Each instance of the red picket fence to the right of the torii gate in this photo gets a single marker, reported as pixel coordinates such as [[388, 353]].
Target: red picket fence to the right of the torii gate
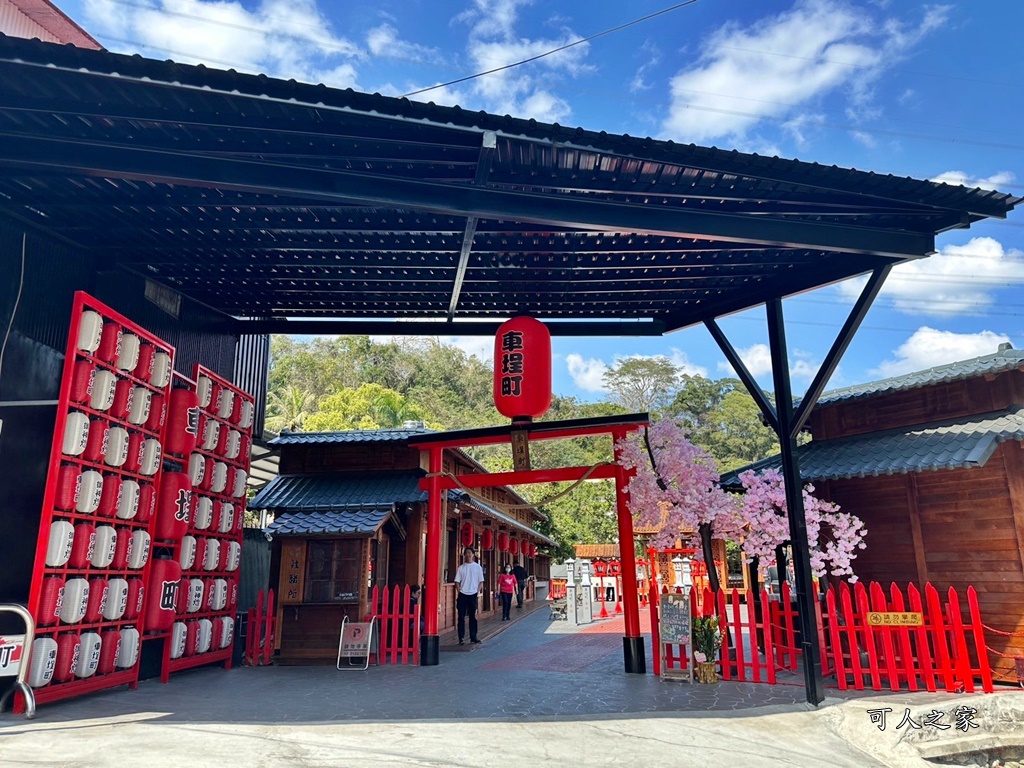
[[946, 653]]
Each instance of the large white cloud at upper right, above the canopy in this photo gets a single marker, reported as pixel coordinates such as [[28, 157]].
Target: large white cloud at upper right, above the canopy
[[783, 64]]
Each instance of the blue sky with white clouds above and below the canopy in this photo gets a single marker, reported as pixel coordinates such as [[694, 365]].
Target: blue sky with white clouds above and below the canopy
[[893, 87]]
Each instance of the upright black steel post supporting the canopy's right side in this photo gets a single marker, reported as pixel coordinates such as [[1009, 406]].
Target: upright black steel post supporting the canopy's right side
[[806, 598]]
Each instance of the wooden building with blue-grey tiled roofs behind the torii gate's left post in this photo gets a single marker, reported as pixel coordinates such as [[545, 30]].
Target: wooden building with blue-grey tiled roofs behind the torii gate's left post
[[350, 515]]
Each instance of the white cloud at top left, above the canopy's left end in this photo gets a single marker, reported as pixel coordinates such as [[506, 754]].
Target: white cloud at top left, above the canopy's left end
[[281, 38]]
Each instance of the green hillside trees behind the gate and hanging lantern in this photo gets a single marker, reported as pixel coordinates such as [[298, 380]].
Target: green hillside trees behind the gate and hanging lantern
[[357, 382]]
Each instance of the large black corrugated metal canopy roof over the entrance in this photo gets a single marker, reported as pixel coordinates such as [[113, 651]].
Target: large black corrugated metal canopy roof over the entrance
[[279, 202]]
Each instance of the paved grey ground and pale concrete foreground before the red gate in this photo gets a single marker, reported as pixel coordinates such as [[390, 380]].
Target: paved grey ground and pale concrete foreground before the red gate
[[536, 693]]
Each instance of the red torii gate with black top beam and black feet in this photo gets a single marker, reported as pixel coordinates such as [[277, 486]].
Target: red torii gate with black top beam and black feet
[[437, 483]]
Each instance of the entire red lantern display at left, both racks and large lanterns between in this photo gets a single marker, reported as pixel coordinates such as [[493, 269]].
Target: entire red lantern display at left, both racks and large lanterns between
[[111, 514]]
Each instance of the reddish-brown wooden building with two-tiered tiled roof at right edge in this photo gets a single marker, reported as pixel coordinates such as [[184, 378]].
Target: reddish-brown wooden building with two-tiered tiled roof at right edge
[[933, 463]]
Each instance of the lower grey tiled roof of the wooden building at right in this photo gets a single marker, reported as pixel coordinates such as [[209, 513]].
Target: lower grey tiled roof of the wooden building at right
[[951, 445]]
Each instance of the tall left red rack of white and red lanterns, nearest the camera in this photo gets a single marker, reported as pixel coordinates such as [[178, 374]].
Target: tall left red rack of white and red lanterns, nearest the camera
[[97, 528]]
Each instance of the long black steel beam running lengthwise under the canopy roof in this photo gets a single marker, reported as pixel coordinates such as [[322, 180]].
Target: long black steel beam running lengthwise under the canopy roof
[[193, 169]]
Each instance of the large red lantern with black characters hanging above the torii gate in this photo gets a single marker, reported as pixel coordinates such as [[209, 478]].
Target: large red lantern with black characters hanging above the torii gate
[[523, 369]]
